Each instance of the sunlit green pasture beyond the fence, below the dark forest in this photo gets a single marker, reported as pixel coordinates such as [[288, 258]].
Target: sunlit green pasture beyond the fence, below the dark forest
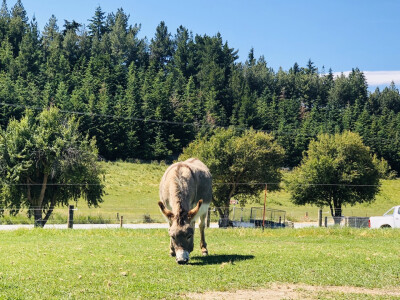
[[132, 191]]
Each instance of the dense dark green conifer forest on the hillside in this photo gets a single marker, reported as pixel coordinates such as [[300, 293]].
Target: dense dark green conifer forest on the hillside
[[148, 99]]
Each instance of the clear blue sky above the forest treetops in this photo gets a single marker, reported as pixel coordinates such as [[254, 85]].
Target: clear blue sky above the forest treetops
[[339, 34]]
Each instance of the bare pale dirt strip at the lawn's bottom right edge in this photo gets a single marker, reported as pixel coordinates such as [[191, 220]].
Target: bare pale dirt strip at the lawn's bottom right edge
[[294, 291]]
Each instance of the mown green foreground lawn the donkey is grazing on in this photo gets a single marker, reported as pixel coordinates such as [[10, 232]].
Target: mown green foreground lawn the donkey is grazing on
[[130, 264]]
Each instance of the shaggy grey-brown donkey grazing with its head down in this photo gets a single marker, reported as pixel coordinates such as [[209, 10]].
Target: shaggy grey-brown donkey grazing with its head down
[[185, 195]]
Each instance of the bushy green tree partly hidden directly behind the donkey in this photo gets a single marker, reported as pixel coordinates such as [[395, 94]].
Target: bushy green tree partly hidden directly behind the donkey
[[238, 162]]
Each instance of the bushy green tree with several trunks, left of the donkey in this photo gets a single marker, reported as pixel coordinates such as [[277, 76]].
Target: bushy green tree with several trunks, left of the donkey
[[45, 162]]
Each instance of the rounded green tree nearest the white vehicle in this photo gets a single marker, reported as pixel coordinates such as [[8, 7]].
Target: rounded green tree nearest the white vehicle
[[336, 170]]
